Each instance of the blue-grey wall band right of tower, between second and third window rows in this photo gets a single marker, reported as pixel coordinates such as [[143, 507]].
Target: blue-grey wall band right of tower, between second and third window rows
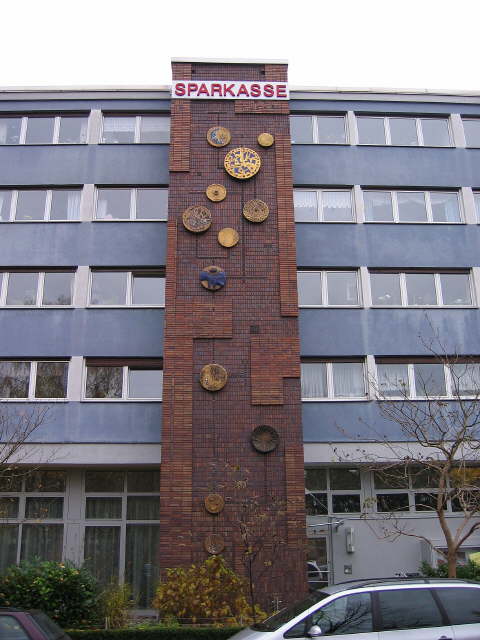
[[387, 245]]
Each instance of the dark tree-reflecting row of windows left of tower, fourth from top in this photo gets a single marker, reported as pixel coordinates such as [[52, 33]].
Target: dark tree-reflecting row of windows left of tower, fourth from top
[[36, 379]]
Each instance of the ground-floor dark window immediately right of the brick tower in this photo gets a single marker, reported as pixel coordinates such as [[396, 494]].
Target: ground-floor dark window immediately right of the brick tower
[[334, 490]]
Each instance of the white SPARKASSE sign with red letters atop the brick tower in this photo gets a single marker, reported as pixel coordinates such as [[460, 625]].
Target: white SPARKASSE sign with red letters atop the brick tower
[[224, 90]]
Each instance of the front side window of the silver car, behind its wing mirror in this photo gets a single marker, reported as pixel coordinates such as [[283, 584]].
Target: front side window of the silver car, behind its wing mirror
[[347, 614]]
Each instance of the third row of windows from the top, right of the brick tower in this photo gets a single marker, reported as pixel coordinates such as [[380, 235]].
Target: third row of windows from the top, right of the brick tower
[[389, 288]]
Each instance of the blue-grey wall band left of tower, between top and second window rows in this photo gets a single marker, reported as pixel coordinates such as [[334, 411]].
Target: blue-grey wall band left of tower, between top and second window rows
[[84, 164]]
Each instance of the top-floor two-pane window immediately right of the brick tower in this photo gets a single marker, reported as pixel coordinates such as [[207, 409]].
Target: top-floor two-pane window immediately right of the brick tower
[[321, 129]]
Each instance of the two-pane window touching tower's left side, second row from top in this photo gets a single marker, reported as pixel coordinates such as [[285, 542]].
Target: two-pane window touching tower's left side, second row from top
[[116, 203]]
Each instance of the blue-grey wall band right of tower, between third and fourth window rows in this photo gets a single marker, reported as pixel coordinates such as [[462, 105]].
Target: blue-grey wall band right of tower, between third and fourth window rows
[[358, 332]]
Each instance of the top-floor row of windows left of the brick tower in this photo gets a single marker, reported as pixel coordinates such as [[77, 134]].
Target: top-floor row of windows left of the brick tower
[[73, 129]]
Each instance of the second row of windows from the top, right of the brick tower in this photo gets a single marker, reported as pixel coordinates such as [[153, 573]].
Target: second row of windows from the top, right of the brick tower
[[381, 205]]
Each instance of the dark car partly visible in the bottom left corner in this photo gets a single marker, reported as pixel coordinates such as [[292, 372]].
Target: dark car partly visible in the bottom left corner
[[16, 624]]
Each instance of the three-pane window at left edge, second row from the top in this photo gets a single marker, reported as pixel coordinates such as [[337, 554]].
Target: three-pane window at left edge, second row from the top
[[36, 205]]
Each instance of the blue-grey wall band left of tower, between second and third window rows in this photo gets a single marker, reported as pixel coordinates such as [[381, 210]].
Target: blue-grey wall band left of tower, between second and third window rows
[[57, 244]]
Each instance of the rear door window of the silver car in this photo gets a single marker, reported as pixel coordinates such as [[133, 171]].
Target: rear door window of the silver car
[[408, 609]]
